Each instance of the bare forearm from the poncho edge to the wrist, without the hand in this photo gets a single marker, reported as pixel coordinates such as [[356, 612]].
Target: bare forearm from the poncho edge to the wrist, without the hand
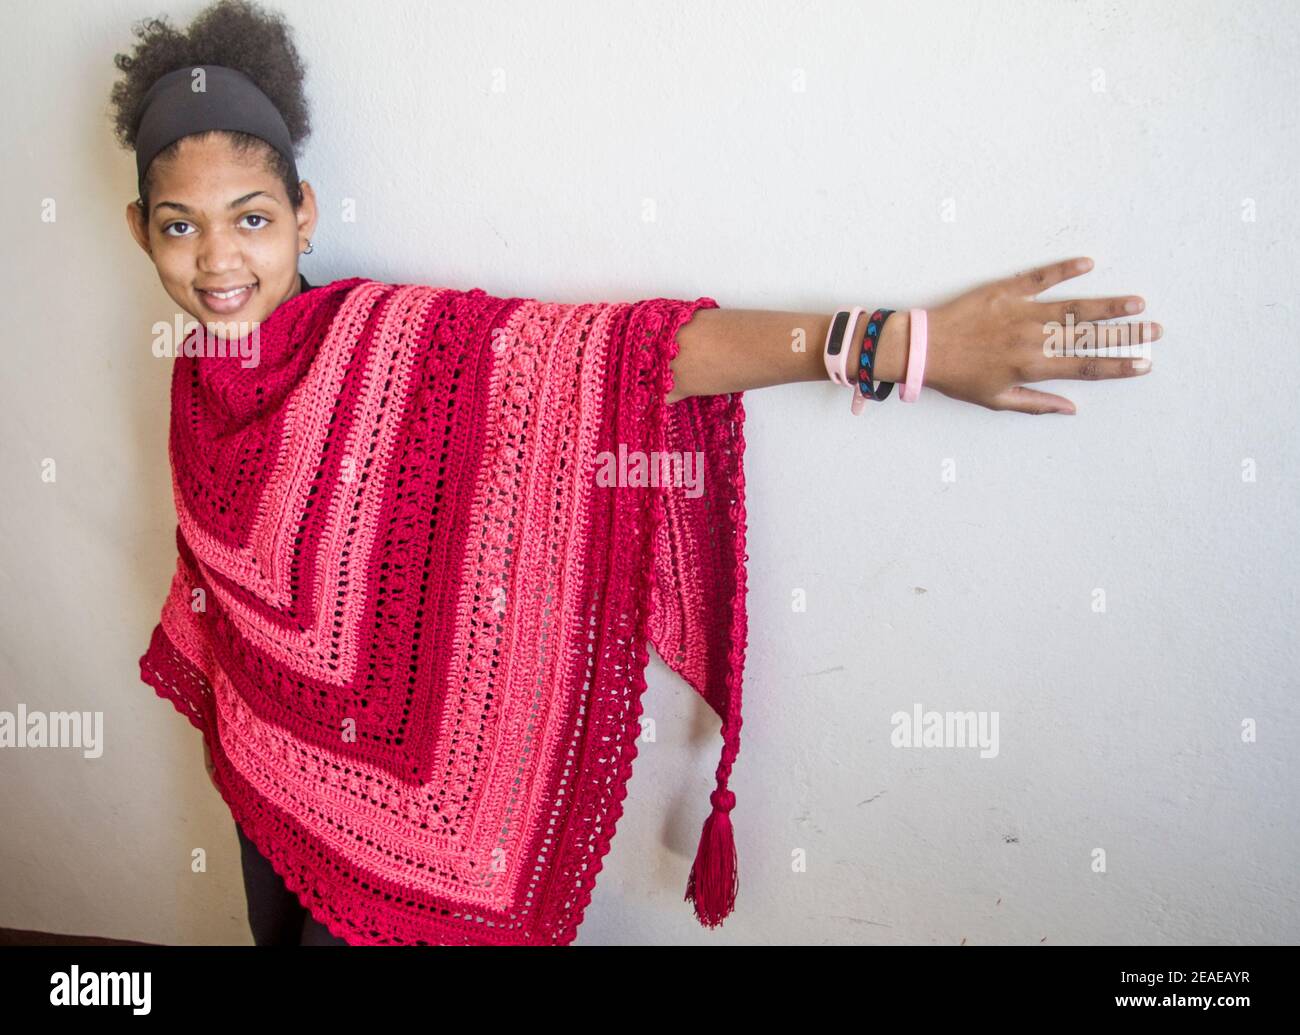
[[736, 350]]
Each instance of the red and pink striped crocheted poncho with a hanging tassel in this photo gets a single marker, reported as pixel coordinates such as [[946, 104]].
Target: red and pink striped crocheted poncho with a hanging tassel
[[423, 544]]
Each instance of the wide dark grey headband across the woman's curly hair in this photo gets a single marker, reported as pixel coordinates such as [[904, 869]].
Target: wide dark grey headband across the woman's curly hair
[[229, 101]]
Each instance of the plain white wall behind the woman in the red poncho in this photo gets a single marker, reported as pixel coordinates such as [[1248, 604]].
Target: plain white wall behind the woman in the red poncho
[[1138, 135]]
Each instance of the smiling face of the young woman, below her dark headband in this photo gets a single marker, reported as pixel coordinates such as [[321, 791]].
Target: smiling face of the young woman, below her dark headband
[[220, 222]]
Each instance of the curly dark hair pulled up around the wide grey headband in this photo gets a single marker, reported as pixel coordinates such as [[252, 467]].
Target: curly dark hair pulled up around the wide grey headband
[[239, 34]]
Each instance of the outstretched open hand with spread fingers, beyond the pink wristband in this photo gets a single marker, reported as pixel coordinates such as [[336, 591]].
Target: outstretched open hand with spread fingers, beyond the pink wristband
[[982, 345]]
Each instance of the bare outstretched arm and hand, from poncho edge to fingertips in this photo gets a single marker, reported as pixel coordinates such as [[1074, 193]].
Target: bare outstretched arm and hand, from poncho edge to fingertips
[[982, 345]]
